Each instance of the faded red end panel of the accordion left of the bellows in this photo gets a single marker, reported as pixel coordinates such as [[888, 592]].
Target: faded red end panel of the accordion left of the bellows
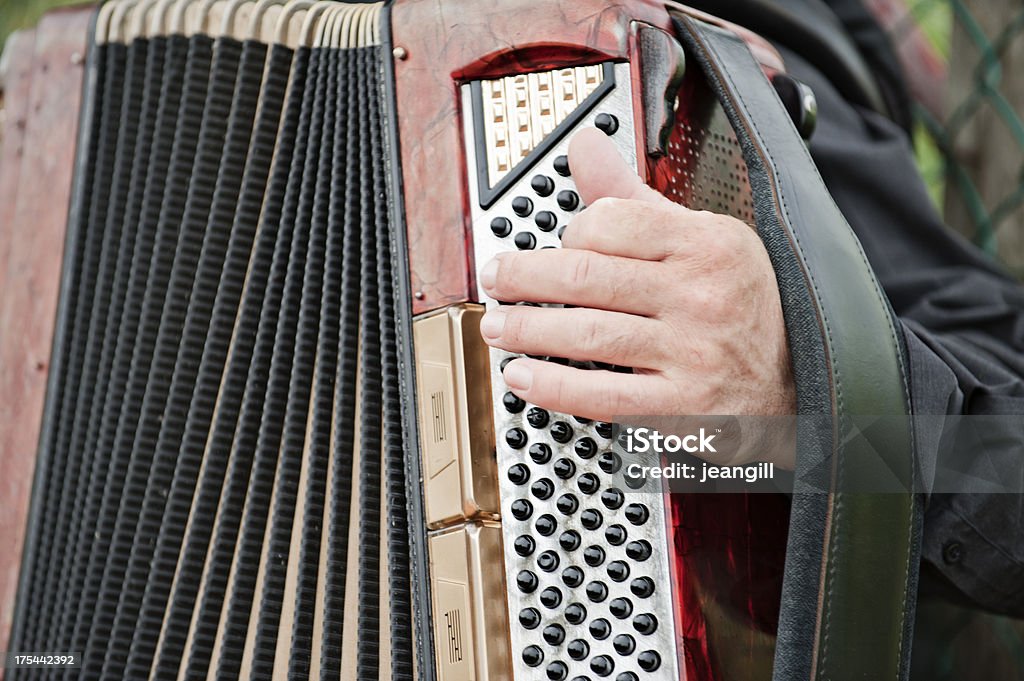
[[41, 79]]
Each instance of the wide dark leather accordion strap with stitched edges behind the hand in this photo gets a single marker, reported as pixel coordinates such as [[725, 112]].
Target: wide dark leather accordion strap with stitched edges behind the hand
[[852, 559]]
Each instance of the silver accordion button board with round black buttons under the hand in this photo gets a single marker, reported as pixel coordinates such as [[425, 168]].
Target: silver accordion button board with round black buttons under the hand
[[586, 559]]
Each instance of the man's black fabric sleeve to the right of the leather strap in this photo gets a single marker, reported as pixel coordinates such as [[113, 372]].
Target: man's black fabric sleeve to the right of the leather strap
[[963, 321]]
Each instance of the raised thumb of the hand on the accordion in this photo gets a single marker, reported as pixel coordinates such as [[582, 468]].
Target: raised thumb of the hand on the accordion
[[601, 172]]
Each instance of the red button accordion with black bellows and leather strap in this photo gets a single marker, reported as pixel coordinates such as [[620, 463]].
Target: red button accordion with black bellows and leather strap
[[275, 445]]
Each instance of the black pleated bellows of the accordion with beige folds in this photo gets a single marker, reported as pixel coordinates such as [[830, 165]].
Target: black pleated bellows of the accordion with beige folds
[[221, 490]]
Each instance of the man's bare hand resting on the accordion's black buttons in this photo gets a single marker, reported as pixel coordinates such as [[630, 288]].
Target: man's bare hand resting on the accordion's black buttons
[[687, 299]]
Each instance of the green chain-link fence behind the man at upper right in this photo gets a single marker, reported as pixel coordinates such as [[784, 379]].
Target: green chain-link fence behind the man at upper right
[[971, 143]]
